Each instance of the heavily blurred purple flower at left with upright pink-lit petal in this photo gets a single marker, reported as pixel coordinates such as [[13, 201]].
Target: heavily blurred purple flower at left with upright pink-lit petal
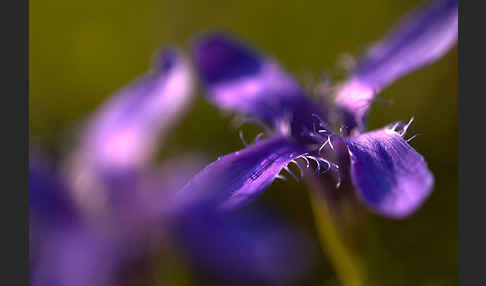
[[76, 215]]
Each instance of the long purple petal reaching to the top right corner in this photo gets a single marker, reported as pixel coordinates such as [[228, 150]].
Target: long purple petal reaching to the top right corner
[[420, 39]]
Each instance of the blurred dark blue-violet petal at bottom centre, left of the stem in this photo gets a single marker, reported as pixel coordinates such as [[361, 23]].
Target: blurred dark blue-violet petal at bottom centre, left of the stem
[[247, 247]]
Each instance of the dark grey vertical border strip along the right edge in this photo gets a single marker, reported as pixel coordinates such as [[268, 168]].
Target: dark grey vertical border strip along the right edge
[[472, 196]]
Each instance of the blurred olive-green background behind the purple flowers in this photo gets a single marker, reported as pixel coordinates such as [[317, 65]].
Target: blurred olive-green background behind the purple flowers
[[82, 51]]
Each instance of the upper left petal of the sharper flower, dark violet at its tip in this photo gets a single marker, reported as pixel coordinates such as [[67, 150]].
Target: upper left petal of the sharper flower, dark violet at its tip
[[239, 79]]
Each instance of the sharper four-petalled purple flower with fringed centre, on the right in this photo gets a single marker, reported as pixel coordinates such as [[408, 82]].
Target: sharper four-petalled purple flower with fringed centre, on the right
[[388, 175]]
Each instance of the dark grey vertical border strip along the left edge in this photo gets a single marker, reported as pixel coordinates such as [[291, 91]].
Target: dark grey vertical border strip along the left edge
[[15, 140]]
